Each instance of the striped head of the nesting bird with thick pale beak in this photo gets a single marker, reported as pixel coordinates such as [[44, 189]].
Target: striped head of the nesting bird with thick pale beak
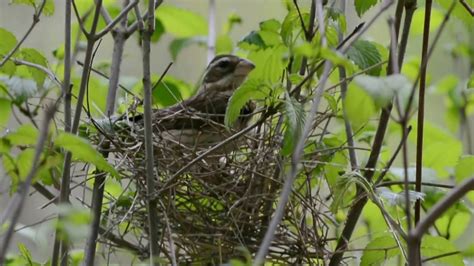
[[226, 73]]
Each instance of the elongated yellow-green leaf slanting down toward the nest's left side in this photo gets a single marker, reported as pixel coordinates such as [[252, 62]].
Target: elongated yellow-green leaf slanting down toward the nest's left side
[[83, 151]]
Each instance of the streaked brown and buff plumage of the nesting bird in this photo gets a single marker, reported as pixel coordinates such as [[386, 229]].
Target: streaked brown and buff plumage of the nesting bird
[[199, 120]]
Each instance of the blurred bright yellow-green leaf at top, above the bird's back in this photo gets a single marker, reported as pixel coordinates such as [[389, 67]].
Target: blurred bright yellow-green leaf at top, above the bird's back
[[180, 22]]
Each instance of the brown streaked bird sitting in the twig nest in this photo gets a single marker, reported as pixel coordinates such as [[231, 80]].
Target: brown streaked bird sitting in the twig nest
[[197, 123]]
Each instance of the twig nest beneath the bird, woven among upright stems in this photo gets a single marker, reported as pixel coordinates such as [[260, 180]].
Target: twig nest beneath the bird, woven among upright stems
[[216, 207]]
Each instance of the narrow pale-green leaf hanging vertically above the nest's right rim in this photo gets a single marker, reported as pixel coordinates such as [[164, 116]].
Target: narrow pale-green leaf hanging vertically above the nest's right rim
[[294, 121]]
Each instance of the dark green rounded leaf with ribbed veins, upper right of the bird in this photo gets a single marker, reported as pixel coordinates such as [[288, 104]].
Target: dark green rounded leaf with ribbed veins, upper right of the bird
[[365, 54]]
